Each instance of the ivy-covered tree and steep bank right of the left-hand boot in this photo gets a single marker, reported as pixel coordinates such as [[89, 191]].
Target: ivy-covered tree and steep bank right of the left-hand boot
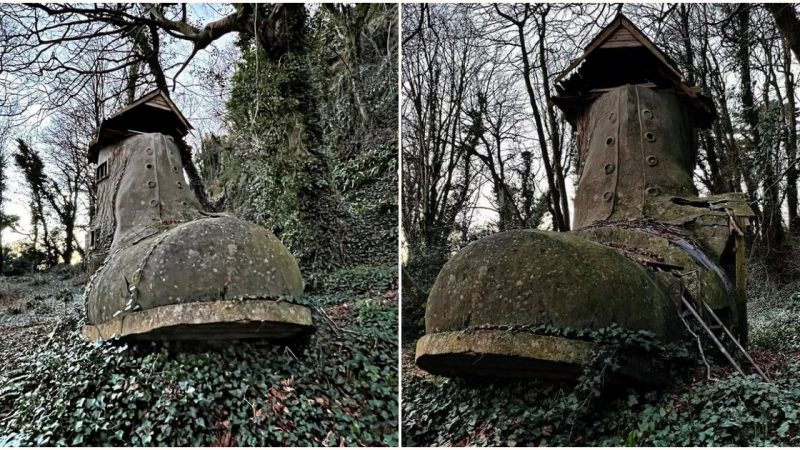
[[318, 174]]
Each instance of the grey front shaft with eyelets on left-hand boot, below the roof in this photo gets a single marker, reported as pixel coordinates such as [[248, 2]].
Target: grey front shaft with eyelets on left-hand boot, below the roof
[[151, 193]]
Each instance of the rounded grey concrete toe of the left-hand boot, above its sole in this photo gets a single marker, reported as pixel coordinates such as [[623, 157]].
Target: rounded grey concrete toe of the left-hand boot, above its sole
[[215, 258]]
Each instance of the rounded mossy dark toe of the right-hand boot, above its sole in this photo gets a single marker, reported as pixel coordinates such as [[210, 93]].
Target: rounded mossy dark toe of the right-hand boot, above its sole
[[526, 277]]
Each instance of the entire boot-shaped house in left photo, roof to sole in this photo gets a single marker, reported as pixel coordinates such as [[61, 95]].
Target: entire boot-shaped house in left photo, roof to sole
[[166, 268]]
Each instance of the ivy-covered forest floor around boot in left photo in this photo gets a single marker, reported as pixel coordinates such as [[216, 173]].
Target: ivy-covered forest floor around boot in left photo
[[337, 387]]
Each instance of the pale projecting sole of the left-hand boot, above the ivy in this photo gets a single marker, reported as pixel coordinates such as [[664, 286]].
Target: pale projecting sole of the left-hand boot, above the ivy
[[232, 319]]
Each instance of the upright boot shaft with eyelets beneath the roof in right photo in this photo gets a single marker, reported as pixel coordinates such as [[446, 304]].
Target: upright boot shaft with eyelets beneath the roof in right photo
[[636, 145]]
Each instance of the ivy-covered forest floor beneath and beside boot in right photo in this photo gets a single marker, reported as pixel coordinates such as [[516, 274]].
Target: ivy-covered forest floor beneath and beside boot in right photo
[[696, 409]]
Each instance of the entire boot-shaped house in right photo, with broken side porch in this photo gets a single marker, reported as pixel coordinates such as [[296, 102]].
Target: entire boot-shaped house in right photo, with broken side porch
[[643, 245]]
